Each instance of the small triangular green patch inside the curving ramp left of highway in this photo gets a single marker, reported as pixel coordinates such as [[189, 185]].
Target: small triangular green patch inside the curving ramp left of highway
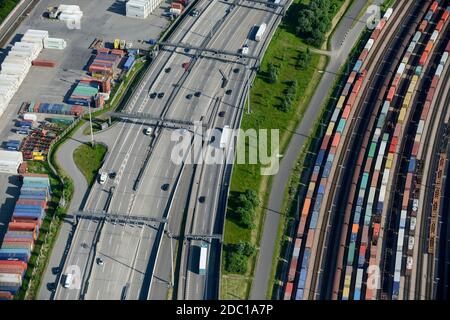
[[89, 160]]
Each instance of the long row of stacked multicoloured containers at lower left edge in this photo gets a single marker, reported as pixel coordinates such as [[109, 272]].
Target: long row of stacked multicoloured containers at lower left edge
[[23, 231]]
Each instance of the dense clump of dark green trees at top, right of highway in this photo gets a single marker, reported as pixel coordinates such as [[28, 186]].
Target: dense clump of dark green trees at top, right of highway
[[315, 19]]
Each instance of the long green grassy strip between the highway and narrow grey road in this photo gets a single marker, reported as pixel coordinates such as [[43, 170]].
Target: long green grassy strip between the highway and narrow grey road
[[297, 77]]
